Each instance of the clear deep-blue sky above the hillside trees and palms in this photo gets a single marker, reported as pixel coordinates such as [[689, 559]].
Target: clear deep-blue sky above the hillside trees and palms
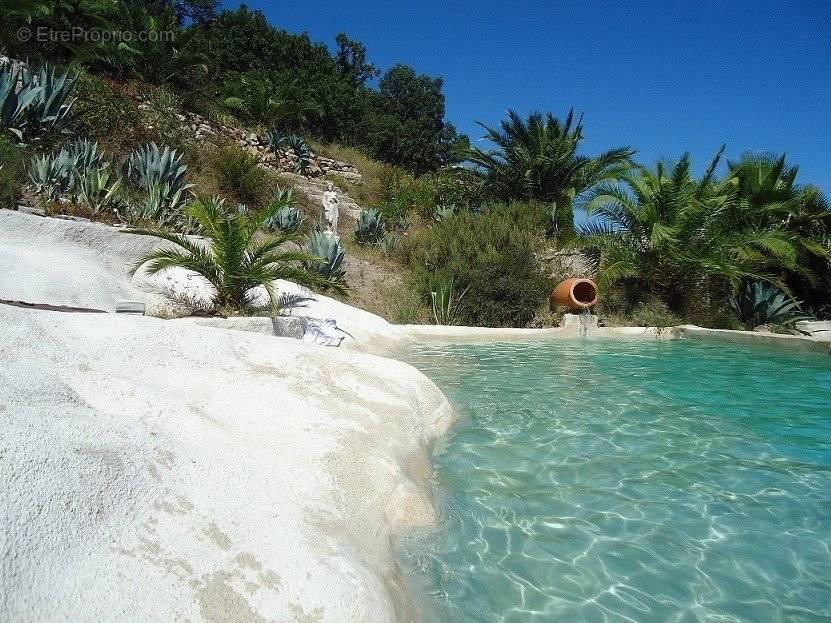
[[662, 77]]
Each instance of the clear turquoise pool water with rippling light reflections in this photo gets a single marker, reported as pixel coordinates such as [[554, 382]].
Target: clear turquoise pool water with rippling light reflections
[[622, 481]]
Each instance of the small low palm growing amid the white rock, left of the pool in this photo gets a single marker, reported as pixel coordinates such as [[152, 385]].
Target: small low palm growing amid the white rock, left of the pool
[[234, 260]]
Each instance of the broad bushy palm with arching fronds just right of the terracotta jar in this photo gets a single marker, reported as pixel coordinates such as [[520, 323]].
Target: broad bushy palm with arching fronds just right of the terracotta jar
[[667, 233]]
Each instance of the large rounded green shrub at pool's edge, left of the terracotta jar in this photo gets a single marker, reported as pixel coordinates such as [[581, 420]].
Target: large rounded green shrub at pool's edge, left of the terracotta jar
[[491, 257]]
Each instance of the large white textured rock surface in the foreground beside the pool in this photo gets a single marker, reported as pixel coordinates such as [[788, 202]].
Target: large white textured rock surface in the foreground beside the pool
[[158, 470]]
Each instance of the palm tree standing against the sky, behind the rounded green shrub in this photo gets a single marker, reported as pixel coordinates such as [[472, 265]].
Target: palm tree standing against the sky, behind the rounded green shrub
[[536, 160]]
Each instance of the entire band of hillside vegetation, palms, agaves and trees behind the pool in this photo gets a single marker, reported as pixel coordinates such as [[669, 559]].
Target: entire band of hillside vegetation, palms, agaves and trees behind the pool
[[95, 127]]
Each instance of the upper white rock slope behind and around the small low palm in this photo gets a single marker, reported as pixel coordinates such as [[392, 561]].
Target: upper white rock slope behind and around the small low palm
[[47, 260]]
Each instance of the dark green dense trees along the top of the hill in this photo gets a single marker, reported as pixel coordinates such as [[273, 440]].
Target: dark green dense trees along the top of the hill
[[235, 63]]
